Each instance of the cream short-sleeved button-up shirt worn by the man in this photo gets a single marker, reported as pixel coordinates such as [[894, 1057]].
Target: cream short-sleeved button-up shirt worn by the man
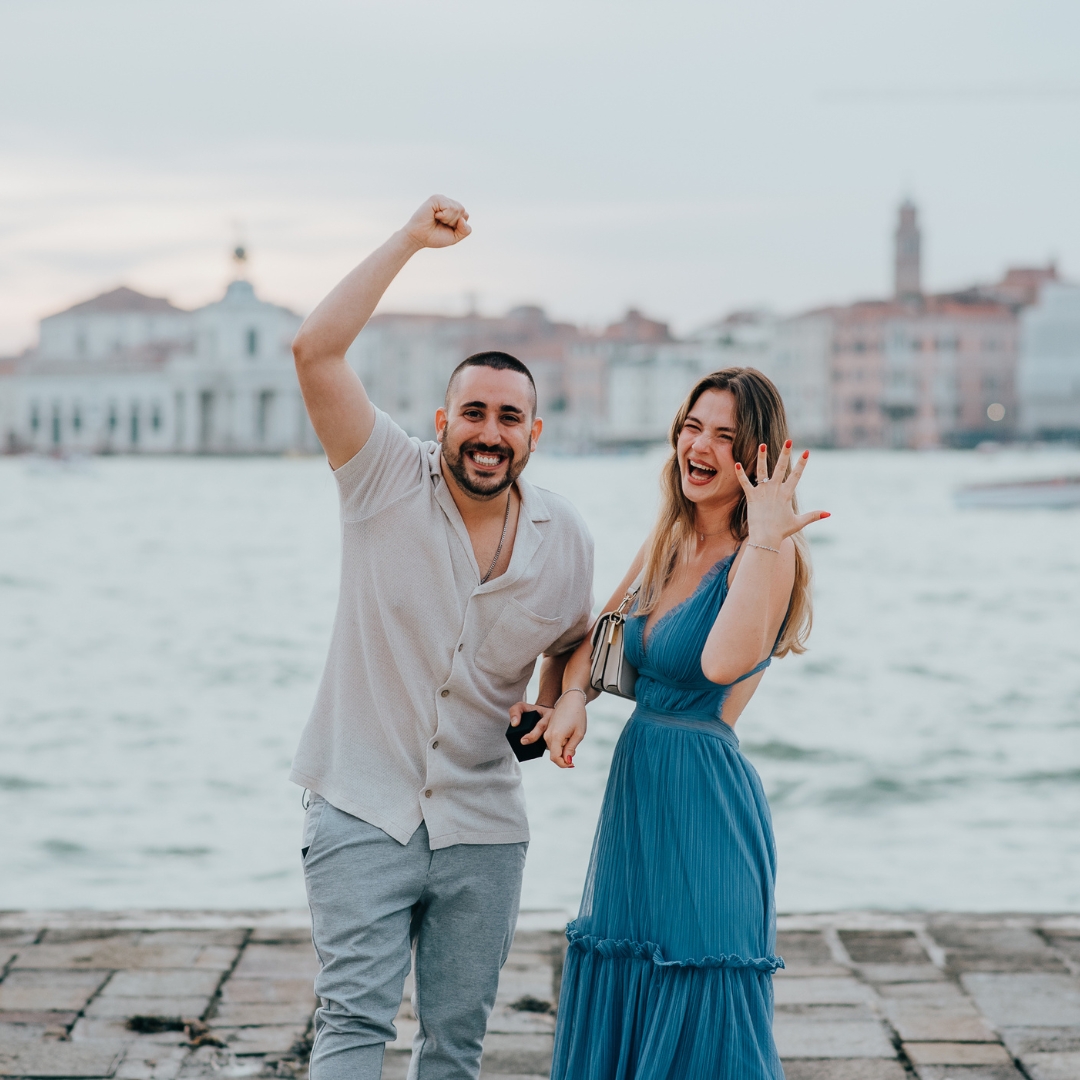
[[425, 663]]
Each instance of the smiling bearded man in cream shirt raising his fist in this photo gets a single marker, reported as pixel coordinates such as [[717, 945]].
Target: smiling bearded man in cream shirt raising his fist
[[456, 575]]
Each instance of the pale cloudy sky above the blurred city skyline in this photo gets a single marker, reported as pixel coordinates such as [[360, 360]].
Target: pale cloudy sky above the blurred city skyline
[[684, 158]]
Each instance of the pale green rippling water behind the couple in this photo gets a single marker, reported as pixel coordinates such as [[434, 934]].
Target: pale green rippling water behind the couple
[[164, 625]]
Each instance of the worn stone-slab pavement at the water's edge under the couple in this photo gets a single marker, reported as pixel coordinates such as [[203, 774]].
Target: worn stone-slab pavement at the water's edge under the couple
[[170, 996]]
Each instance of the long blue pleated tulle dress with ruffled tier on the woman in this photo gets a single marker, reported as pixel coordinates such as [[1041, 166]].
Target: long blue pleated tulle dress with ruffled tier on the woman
[[669, 971]]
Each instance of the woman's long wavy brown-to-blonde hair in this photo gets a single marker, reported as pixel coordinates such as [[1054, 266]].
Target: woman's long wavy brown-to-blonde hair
[[760, 418]]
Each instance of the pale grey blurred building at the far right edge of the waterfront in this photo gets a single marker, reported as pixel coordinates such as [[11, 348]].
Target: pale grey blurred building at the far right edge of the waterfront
[[1049, 376]]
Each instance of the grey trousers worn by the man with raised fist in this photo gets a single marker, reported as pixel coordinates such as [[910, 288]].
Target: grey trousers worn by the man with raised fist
[[374, 902]]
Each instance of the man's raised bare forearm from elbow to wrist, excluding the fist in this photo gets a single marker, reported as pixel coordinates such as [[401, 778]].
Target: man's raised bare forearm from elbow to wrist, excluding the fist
[[333, 327]]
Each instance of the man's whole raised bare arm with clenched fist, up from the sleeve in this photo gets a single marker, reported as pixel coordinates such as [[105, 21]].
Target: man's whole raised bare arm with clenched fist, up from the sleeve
[[337, 403]]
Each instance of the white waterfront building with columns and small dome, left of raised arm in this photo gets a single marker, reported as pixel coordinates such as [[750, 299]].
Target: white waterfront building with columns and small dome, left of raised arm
[[126, 373]]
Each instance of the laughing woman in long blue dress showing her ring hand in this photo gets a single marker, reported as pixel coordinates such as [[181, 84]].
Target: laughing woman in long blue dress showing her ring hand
[[669, 973]]
